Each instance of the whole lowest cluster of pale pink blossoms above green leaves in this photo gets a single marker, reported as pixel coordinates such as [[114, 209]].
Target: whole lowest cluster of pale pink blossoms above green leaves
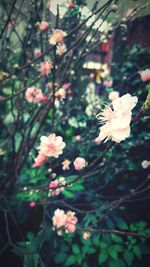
[[64, 221]]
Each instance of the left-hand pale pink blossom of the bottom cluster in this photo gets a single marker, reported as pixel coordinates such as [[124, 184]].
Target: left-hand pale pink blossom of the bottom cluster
[[59, 218]]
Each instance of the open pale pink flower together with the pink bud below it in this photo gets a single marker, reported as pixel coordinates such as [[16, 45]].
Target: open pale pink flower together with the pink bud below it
[[51, 146]]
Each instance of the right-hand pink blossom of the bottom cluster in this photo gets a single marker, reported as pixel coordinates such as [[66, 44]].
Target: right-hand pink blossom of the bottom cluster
[[71, 222]]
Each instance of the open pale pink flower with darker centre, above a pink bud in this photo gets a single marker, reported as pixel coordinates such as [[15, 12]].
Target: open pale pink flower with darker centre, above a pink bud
[[52, 146]]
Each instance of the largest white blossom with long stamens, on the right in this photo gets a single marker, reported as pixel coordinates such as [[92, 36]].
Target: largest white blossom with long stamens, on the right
[[116, 119]]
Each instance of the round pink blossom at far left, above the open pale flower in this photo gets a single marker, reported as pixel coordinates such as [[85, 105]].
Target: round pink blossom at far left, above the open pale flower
[[33, 95]]
